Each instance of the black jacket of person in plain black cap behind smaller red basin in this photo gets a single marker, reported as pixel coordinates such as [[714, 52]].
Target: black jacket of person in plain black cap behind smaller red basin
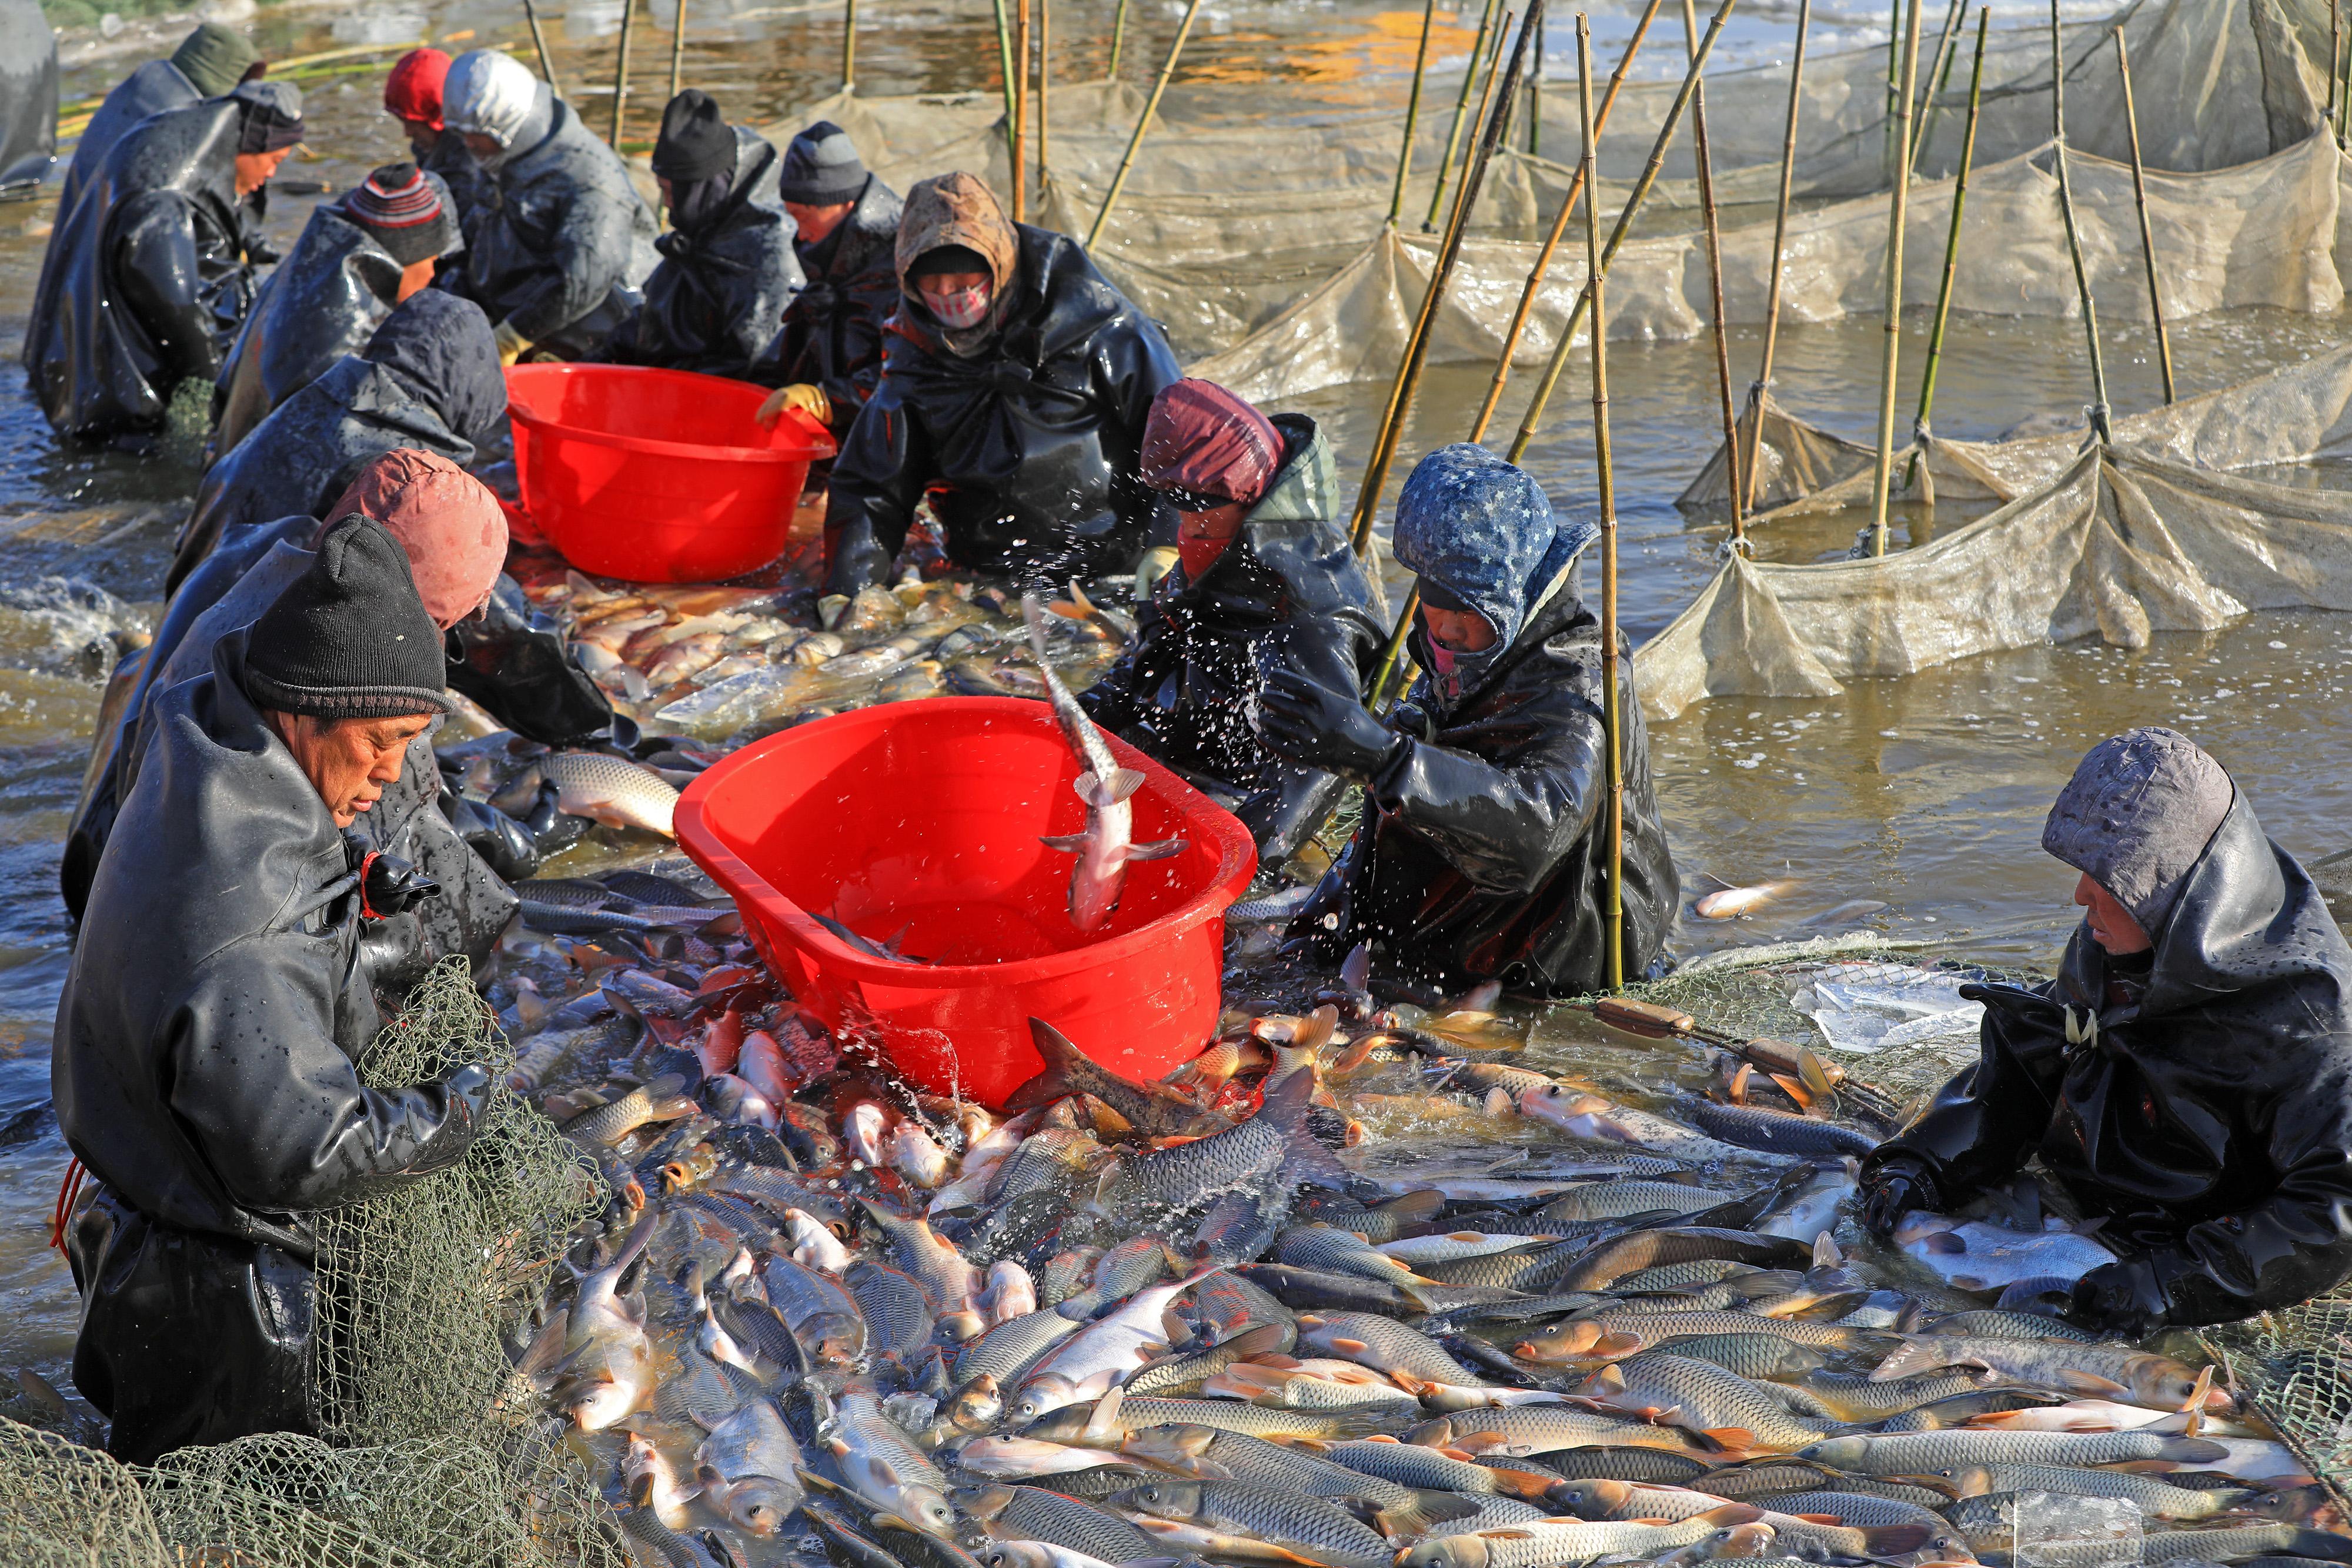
[[721, 290]]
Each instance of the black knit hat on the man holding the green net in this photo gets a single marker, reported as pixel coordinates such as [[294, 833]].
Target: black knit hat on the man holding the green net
[[349, 638]]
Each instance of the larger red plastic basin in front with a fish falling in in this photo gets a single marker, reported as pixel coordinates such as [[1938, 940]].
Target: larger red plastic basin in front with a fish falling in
[[926, 817]]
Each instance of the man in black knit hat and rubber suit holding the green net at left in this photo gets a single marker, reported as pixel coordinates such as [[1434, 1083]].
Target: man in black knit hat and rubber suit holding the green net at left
[[206, 1038]]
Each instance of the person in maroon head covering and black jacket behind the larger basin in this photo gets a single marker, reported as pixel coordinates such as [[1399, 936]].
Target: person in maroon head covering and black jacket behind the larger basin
[[1267, 582]]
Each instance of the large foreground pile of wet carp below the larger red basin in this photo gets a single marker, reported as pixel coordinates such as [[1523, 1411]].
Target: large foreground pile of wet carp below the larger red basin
[[1354, 1289]]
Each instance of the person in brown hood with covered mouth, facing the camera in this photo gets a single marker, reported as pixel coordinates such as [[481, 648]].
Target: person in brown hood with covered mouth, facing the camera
[[1013, 398]]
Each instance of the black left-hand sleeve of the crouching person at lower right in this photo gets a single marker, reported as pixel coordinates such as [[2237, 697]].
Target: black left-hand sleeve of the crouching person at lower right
[[1989, 1120]]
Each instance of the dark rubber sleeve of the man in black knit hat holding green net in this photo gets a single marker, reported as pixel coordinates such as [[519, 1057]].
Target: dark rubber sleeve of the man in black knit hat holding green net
[[272, 1099]]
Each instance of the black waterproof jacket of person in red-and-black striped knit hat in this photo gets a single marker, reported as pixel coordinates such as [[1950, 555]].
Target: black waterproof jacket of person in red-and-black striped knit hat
[[323, 302]]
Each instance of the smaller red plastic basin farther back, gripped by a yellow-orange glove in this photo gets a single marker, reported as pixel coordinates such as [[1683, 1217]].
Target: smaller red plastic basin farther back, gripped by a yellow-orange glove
[[657, 476]]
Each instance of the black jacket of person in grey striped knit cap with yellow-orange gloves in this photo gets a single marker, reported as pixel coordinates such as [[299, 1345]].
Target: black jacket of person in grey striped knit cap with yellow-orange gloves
[[834, 328]]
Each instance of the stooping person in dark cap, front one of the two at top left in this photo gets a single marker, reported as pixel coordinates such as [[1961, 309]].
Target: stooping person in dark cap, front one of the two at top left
[[152, 274]]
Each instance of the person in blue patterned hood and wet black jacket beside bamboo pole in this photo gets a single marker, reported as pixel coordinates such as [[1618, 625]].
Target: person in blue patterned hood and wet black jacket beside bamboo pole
[[1485, 843]]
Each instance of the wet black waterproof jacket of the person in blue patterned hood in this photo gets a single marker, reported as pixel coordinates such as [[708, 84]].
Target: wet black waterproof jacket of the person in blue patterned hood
[[1485, 850]]
